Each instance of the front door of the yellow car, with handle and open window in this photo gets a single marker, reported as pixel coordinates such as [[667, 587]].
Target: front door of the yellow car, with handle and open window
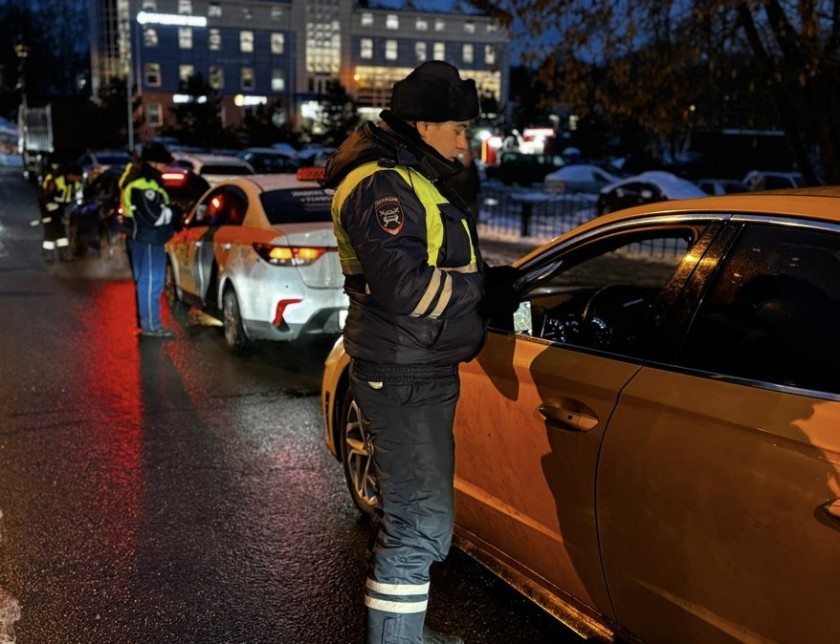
[[536, 402]]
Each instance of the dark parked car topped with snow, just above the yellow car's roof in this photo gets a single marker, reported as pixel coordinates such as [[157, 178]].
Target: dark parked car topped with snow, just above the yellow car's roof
[[648, 187]]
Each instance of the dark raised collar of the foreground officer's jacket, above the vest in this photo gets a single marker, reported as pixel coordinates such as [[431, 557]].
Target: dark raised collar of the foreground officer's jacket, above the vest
[[395, 143]]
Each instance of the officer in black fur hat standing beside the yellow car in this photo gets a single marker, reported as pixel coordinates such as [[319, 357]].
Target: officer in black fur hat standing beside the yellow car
[[415, 281]]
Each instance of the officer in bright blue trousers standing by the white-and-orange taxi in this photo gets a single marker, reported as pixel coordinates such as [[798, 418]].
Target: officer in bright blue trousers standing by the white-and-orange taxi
[[147, 216]]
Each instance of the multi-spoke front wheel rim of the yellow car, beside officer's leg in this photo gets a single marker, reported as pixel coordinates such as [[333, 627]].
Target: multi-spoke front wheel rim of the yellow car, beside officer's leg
[[357, 457]]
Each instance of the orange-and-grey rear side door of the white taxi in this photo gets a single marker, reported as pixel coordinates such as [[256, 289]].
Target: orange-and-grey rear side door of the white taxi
[[225, 212]]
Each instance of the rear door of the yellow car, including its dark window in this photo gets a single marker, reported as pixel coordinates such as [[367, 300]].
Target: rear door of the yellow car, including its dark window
[[718, 484]]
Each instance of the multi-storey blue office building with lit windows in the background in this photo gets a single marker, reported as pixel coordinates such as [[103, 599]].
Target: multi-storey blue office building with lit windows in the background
[[284, 54]]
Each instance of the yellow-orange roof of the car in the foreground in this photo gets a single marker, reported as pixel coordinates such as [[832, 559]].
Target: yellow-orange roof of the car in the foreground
[[816, 202]]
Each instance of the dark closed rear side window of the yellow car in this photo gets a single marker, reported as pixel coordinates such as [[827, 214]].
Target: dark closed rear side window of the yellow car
[[772, 313]]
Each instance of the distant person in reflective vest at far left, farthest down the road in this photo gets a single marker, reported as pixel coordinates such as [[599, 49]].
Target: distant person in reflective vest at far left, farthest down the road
[[57, 190]]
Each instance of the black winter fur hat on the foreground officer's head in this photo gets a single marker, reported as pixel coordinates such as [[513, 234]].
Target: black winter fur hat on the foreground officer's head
[[435, 92]]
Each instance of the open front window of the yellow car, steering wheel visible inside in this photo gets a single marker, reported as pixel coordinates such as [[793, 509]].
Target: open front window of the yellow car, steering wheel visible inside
[[606, 295]]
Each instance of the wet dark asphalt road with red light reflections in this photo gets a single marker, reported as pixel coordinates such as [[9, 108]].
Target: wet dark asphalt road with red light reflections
[[164, 491]]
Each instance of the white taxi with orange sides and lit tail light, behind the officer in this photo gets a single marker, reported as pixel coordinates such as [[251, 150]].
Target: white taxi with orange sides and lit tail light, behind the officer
[[259, 253]]
